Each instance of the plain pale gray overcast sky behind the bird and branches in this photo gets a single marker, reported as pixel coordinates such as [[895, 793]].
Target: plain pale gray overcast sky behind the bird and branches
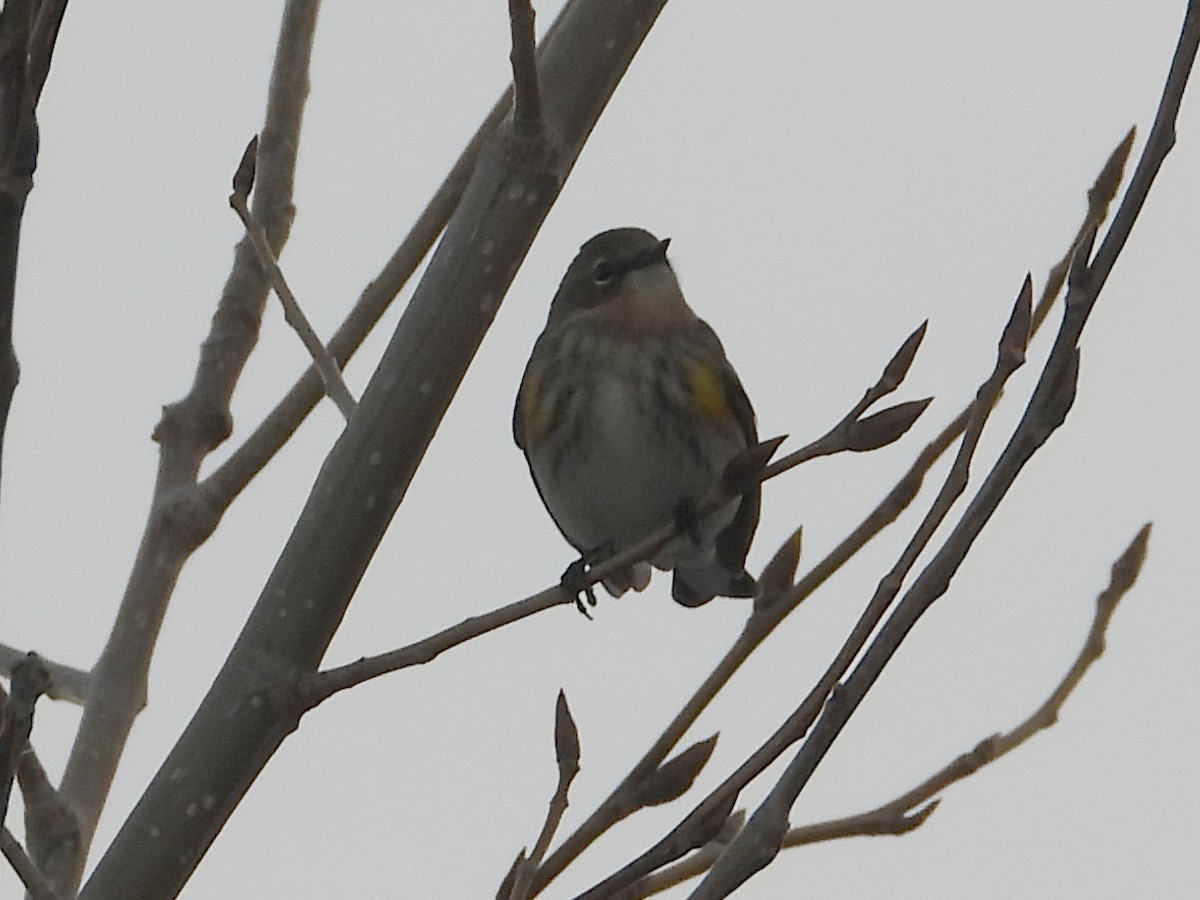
[[831, 176]]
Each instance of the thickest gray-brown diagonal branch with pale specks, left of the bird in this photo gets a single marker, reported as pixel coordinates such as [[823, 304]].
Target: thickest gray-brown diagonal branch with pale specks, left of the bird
[[251, 707]]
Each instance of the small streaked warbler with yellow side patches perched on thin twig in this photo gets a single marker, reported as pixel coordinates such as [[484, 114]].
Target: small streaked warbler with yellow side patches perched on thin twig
[[629, 413]]
